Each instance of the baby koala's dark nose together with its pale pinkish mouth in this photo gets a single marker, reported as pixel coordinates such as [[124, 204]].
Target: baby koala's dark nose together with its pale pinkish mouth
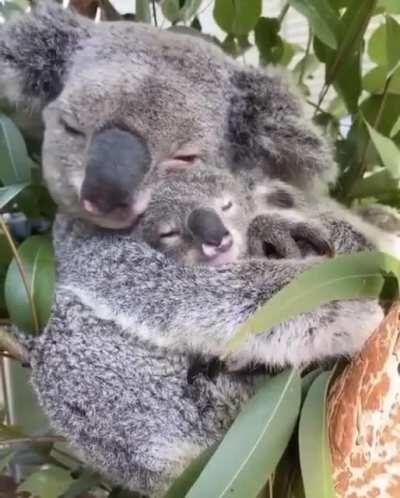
[[207, 227]]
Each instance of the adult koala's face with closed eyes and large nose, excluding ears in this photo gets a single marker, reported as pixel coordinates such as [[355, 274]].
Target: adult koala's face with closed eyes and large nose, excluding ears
[[114, 122]]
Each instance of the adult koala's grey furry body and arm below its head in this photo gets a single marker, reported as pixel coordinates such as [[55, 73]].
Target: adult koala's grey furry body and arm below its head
[[110, 368]]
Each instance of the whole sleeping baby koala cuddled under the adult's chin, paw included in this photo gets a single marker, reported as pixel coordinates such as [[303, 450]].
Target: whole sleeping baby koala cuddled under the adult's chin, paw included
[[207, 216]]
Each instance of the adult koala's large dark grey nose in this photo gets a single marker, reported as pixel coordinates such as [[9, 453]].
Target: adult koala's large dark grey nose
[[117, 161]]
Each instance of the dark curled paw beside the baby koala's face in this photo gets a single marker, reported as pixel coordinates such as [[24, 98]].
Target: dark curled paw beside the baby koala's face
[[277, 237]]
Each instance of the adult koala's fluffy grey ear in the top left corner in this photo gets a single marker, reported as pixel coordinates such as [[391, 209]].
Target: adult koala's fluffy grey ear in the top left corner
[[35, 51]]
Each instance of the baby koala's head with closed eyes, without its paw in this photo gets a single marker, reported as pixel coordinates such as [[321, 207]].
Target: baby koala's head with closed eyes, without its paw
[[198, 217]]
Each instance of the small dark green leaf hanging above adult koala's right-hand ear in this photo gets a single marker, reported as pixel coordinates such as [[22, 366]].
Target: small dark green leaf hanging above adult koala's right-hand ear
[[268, 41]]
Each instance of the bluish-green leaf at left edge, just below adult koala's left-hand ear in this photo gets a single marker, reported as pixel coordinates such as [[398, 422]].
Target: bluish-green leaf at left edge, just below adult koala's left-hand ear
[[14, 161]]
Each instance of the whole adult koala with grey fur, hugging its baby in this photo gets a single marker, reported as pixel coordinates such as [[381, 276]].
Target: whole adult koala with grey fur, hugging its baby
[[110, 368]]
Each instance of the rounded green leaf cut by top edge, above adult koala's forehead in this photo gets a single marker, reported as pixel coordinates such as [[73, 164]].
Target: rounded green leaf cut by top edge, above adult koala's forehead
[[237, 17]]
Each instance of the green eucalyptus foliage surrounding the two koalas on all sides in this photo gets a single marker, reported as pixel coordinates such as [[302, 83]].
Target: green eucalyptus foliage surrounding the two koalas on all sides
[[277, 446]]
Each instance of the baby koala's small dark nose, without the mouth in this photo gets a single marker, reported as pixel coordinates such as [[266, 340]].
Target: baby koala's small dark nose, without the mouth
[[207, 226]]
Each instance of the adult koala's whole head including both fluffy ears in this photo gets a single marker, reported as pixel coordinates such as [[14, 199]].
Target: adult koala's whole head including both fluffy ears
[[119, 99]]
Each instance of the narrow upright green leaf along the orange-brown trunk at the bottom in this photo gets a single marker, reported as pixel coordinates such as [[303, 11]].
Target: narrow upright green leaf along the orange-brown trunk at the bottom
[[315, 459]]
